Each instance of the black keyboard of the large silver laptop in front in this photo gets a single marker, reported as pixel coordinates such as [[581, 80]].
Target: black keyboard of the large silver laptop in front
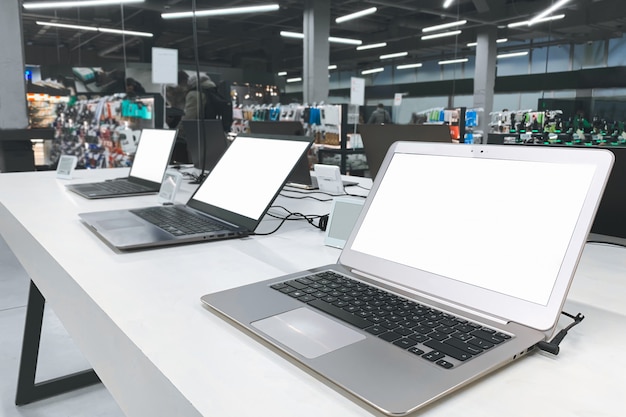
[[436, 336]]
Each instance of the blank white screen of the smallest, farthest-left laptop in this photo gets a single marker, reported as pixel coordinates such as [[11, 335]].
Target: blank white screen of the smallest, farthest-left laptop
[[153, 154]]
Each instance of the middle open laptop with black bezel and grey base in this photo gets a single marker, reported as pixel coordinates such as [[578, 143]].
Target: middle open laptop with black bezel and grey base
[[223, 207]]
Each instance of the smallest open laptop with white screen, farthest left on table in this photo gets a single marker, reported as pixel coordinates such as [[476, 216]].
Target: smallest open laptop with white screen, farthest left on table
[[149, 164]]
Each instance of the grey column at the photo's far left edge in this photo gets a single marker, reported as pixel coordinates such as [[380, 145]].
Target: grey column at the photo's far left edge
[[13, 114]]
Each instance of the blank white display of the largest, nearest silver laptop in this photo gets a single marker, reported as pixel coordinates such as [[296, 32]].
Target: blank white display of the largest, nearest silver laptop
[[504, 233]]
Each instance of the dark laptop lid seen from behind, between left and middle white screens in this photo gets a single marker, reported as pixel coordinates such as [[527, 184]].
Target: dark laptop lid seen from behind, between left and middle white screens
[[213, 145]]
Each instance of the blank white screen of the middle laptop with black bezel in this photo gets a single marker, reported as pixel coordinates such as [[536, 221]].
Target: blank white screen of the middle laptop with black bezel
[[247, 176]]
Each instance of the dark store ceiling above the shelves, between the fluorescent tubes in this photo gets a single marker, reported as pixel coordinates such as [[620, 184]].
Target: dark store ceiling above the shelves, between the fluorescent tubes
[[253, 40]]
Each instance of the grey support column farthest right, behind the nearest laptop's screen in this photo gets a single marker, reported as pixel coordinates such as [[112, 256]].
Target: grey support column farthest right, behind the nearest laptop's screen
[[485, 77]]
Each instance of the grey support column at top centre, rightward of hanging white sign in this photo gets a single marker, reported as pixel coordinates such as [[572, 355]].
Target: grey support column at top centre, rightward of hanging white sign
[[316, 23]]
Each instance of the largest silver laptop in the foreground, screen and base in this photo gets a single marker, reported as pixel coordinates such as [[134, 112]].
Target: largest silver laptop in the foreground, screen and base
[[452, 270]]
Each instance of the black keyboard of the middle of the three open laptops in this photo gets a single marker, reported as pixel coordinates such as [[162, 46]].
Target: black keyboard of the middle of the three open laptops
[[177, 221]]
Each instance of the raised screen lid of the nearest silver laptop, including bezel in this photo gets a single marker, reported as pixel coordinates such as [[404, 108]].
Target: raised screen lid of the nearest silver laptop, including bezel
[[494, 229]]
